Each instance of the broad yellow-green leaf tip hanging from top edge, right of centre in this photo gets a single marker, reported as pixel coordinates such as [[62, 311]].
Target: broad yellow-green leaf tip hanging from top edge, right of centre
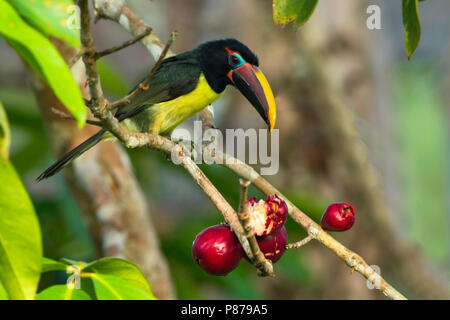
[[286, 11]]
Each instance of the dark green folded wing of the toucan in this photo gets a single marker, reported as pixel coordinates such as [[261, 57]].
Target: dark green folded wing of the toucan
[[176, 76]]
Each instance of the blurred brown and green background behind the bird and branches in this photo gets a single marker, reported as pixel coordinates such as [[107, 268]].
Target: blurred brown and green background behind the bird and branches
[[358, 123]]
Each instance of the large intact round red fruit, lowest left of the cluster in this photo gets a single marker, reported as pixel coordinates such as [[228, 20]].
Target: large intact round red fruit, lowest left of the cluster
[[217, 250]]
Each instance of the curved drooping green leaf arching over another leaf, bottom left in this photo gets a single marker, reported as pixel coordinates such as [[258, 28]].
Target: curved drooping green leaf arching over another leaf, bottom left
[[122, 269]]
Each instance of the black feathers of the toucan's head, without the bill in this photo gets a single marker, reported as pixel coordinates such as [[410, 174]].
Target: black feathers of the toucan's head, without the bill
[[215, 62]]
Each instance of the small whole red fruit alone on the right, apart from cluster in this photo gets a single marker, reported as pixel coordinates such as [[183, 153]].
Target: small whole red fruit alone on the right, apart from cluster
[[339, 216]]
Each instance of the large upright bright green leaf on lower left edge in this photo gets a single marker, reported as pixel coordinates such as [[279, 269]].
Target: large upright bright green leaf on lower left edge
[[20, 237]]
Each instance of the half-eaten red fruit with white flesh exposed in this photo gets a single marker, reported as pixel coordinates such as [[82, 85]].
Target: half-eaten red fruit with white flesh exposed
[[268, 216]]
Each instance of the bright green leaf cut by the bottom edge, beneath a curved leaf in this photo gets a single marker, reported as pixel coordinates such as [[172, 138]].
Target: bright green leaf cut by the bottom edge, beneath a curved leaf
[[108, 287]]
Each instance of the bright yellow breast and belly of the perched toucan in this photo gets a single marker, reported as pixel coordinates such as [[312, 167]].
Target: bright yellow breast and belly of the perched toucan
[[167, 115]]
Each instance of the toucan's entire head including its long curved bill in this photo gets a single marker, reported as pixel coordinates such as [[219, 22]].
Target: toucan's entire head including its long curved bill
[[230, 62]]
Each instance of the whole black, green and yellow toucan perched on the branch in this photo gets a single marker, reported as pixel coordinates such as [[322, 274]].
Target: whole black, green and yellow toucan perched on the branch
[[182, 86]]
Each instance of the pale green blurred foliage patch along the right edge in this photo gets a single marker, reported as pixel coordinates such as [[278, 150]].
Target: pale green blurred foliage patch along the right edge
[[421, 123]]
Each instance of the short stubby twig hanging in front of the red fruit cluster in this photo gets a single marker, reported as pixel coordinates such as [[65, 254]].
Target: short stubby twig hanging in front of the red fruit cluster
[[257, 258]]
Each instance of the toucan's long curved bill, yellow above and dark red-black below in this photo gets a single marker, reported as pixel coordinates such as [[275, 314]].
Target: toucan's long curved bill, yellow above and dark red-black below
[[252, 83]]
